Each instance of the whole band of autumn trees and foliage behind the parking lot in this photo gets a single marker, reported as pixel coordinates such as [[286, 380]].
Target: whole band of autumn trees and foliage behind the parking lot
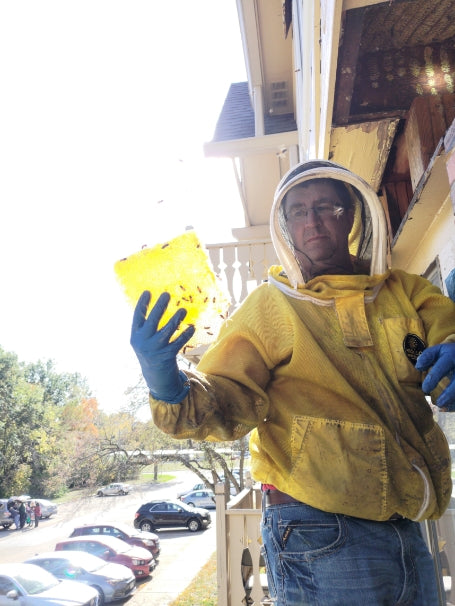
[[54, 438]]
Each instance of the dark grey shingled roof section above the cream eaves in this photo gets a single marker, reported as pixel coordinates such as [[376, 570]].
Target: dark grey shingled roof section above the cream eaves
[[236, 120]]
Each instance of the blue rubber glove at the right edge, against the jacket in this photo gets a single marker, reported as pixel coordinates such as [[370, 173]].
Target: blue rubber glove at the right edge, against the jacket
[[441, 361]]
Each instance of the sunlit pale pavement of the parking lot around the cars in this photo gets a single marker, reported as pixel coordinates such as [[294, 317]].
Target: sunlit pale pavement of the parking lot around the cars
[[183, 553]]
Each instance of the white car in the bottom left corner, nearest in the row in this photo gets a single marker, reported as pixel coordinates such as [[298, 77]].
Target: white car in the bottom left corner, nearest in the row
[[30, 585]]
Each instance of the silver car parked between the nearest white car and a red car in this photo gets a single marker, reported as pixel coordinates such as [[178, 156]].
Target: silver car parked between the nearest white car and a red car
[[111, 581]]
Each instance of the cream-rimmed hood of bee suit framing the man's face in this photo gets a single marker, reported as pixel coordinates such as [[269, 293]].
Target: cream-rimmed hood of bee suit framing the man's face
[[368, 236]]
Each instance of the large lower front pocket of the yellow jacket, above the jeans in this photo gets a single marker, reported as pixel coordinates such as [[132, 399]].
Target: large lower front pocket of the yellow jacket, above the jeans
[[341, 466]]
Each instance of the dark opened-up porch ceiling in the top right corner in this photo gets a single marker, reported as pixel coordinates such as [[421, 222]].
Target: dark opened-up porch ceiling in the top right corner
[[391, 53]]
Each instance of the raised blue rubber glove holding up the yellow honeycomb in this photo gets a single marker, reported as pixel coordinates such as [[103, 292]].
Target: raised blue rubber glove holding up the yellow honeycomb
[[157, 355]]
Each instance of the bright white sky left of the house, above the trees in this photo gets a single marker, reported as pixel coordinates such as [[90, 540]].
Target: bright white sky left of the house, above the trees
[[104, 109]]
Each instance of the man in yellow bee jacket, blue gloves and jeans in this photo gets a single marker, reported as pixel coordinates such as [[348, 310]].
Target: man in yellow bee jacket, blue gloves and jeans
[[320, 364]]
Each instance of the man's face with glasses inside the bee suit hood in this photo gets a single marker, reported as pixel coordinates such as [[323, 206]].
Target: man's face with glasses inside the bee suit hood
[[319, 227]]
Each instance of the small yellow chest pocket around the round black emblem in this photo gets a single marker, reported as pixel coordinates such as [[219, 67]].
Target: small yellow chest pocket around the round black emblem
[[397, 329]]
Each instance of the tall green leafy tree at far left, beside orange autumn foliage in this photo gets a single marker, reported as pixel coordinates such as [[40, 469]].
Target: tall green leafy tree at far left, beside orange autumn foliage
[[31, 439]]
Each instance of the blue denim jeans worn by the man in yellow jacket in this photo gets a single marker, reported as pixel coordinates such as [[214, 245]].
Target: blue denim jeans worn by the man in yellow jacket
[[316, 558]]
